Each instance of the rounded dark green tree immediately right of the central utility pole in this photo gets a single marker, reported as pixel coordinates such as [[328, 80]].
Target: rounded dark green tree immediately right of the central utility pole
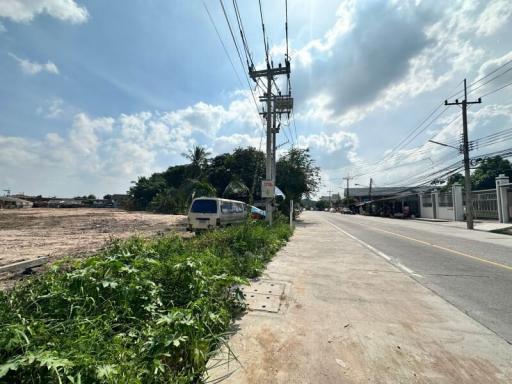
[[297, 176]]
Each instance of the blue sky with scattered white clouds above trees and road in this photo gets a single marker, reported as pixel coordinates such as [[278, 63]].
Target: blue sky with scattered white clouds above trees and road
[[96, 93]]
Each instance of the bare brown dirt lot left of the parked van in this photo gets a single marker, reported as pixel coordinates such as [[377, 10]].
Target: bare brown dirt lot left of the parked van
[[30, 233]]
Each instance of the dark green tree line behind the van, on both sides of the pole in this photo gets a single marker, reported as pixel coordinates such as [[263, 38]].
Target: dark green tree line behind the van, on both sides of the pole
[[236, 175]]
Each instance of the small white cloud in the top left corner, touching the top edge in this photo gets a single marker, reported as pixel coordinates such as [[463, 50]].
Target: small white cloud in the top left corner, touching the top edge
[[26, 10]]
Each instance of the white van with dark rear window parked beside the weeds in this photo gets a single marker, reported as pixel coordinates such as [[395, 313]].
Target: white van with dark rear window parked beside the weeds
[[213, 212]]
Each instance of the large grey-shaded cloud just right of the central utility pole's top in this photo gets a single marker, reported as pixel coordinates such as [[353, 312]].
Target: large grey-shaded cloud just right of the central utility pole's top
[[368, 48]]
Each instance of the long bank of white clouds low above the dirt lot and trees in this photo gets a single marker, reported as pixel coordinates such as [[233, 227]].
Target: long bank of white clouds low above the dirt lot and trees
[[103, 154]]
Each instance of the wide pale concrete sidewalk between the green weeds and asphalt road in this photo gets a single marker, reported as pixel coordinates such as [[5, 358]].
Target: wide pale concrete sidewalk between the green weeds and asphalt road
[[348, 316]]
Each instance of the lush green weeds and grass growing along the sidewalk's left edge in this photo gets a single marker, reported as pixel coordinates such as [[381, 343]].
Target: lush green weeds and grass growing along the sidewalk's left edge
[[142, 311]]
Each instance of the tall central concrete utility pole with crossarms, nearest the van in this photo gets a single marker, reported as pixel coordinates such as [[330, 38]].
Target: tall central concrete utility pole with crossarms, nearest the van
[[275, 104]]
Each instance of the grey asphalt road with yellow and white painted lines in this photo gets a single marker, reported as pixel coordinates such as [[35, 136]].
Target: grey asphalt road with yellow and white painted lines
[[470, 269]]
